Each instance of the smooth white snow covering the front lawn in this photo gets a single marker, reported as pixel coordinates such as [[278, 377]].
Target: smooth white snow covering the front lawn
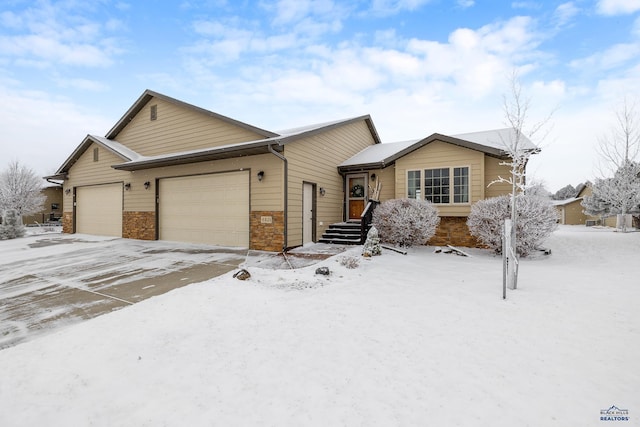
[[422, 339]]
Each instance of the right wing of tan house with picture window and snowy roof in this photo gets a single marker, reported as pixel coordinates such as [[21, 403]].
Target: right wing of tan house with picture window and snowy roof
[[453, 172]]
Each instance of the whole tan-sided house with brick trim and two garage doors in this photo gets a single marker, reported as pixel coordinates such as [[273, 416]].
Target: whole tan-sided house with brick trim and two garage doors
[[169, 170]]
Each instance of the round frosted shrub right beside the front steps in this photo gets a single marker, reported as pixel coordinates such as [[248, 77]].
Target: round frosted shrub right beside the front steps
[[406, 222]]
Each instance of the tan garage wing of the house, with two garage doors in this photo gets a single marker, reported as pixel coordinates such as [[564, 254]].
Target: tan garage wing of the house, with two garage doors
[[169, 170]]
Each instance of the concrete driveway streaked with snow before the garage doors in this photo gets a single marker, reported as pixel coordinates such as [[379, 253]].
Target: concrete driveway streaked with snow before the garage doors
[[50, 281]]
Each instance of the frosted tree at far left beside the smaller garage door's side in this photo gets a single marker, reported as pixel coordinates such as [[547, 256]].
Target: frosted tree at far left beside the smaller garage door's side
[[20, 190]]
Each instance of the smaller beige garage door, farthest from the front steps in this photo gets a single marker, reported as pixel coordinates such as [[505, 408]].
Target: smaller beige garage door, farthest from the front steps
[[99, 210]]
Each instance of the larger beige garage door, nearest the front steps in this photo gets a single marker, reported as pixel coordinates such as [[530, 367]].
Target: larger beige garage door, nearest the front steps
[[211, 209]]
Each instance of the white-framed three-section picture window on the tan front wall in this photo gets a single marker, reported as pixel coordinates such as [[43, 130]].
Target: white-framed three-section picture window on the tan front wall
[[440, 186]]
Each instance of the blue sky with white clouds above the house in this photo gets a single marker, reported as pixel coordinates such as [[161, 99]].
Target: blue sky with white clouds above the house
[[70, 68]]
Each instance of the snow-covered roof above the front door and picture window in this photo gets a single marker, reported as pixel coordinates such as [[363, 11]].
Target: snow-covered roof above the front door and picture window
[[492, 143]]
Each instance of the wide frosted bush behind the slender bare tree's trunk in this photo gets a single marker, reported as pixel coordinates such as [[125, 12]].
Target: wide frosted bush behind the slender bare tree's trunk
[[536, 220]]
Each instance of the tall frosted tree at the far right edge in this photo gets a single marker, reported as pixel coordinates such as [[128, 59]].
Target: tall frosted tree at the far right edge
[[618, 153]]
